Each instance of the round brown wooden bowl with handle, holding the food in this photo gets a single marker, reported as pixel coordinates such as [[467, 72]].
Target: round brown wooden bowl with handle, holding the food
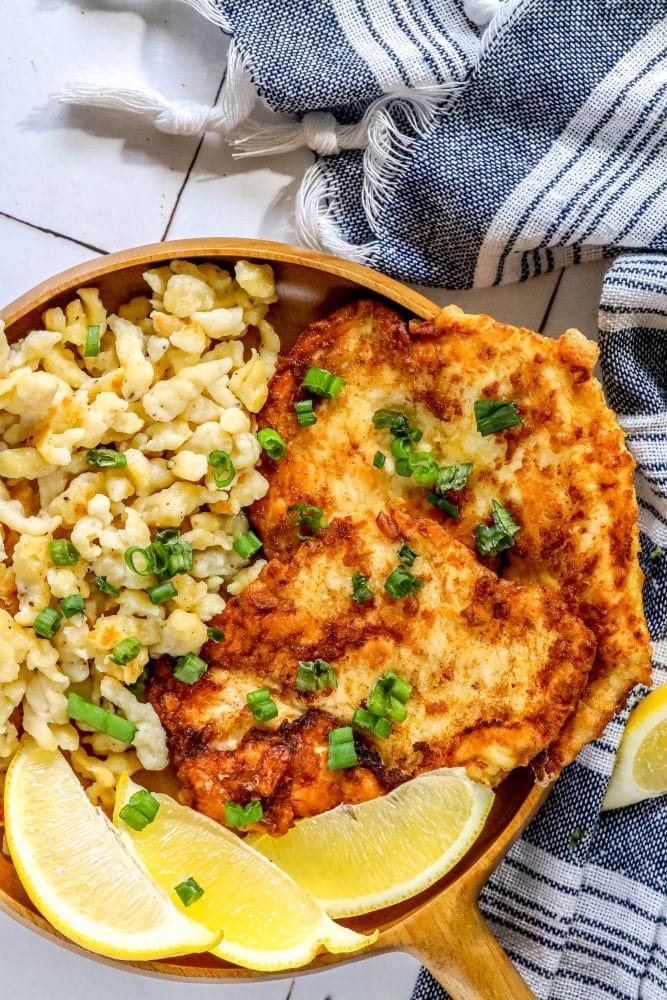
[[442, 926]]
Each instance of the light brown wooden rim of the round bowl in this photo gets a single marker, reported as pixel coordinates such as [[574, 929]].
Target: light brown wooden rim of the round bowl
[[409, 299]]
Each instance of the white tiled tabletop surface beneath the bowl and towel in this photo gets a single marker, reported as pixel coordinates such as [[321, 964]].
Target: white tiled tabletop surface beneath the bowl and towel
[[73, 183]]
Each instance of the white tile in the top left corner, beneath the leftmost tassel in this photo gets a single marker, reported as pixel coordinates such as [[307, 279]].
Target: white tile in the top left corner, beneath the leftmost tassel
[[106, 179]]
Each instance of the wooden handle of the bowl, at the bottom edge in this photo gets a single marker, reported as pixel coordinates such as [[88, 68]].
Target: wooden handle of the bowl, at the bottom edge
[[456, 945]]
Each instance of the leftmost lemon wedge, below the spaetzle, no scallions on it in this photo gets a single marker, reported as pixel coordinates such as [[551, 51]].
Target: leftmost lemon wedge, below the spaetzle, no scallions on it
[[76, 871]]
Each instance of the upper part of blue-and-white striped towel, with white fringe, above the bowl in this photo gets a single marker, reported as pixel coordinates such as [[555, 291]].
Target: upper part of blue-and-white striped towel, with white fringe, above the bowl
[[452, 151]]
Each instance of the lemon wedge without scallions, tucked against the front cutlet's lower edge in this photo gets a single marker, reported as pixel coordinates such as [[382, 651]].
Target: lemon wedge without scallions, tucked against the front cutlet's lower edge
[[354, 859]]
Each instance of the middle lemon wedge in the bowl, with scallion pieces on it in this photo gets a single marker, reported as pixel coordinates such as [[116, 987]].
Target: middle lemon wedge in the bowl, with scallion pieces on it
[[268, 922]]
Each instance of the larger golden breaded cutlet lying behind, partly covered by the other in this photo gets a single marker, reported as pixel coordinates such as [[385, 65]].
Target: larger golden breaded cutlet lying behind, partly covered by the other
[[564, 474]]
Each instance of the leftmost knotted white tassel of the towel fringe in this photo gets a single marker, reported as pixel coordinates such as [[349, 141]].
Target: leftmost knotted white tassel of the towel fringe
[[237, 99]]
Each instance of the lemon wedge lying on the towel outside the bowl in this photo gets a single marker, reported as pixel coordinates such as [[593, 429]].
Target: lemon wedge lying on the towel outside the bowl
[[640, 770]]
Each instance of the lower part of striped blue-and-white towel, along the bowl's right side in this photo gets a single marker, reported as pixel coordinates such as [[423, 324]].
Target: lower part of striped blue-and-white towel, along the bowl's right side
[[579, 903]]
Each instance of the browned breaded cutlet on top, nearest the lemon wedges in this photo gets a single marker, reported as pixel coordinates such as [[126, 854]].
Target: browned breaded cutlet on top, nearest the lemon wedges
[[495, 668]]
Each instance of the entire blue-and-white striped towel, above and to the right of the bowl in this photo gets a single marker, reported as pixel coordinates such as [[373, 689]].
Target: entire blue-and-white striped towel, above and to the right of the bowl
[[472, 142]]
